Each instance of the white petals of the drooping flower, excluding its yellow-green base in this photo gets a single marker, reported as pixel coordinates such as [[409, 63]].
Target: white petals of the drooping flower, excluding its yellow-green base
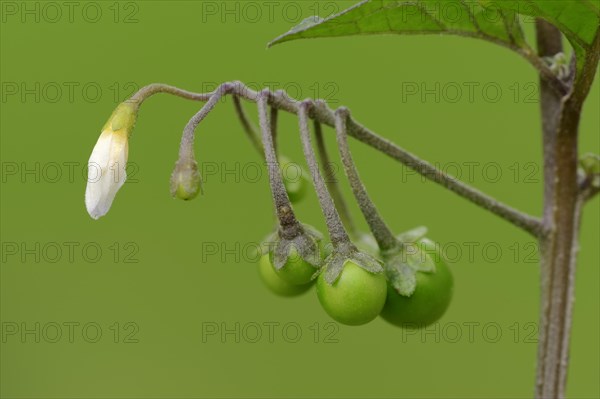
[[106, 172]]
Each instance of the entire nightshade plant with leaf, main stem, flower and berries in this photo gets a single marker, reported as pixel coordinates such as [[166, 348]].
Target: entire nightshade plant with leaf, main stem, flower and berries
[[352, 279]]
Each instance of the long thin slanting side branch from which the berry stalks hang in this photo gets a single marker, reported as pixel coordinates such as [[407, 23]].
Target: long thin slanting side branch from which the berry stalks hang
[[324, 115]]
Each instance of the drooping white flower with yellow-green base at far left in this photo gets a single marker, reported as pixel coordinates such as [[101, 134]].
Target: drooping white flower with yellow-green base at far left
[[107, 164]]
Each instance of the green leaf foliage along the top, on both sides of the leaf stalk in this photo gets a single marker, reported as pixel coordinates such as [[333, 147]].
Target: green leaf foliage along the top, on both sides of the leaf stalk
[[493, 20]]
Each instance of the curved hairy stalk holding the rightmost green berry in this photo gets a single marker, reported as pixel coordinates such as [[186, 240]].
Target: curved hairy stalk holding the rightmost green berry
[[382, 233]]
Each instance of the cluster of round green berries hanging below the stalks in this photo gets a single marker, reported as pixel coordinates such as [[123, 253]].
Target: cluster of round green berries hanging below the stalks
[[358, 296]]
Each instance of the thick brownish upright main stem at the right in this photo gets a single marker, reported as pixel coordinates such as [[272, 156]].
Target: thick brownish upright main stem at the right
[[563, 204]]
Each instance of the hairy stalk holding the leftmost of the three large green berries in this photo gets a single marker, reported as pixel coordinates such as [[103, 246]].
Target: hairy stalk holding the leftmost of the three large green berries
[[290, 227]]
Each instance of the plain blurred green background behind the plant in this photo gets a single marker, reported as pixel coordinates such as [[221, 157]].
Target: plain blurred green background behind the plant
[[176, 289]]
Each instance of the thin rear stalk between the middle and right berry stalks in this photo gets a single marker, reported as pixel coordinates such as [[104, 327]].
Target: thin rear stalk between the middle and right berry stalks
[[332, 182]]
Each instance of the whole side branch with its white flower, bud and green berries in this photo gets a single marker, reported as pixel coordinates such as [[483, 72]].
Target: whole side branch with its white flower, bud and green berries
[[295, 253]]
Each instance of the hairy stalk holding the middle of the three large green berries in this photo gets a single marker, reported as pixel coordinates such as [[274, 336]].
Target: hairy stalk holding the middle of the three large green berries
[[337, 233]]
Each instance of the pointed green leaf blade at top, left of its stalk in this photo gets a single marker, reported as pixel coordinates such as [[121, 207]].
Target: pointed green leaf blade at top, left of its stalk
[[464, 18]]
